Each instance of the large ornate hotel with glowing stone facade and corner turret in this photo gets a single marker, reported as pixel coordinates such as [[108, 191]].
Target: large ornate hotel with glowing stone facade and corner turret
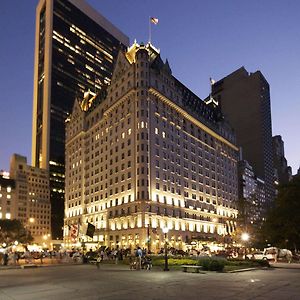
[[150, 155]]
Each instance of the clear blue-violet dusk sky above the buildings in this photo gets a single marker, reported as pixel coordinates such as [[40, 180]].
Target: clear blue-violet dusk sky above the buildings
[[200, 38]]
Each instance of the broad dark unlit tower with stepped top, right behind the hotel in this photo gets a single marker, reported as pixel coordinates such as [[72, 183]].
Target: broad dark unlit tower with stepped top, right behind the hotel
[[244, 99]]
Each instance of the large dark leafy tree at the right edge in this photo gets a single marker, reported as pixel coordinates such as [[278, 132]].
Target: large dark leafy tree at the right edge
[[282, 226]]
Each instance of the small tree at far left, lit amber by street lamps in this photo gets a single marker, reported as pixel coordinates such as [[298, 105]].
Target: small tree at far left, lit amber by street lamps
[[13, 230]]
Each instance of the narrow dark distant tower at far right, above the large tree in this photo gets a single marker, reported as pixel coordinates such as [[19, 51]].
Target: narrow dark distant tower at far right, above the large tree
[[283, 173]]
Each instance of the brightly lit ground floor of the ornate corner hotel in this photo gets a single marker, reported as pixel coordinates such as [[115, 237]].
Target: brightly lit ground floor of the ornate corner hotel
[[193, 235]]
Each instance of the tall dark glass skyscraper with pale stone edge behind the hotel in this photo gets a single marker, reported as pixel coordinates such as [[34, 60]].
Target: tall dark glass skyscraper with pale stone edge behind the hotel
[[75, 49]]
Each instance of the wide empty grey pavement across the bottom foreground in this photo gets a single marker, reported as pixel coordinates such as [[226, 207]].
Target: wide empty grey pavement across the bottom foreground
[[118, 282]]
